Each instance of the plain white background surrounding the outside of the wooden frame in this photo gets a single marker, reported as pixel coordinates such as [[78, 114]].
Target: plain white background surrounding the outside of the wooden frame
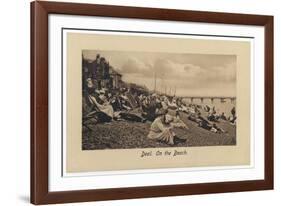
[[14, 109]]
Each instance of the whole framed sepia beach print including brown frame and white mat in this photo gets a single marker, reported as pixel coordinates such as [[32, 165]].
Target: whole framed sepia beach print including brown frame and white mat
[[133, 102]]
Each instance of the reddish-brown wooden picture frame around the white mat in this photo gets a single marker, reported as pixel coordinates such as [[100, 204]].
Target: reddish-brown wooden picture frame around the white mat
[[39, 102]]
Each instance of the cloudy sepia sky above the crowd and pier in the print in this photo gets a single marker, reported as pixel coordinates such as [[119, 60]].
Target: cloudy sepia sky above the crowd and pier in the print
[[179, 74]]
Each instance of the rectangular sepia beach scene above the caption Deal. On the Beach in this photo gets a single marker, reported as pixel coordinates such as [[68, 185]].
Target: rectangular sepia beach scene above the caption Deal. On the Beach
[[157, 99]]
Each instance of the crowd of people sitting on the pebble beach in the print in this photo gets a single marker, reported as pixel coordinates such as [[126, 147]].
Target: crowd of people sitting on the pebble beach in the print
[[103, 105]]
